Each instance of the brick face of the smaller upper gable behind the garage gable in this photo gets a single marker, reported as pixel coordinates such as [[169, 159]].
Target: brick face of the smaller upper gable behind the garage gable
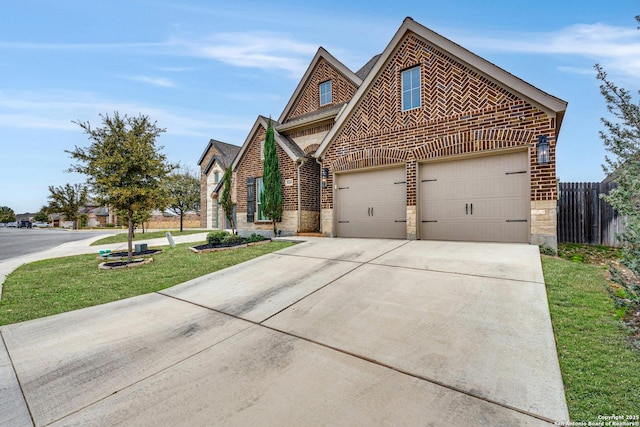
[[309, 99]]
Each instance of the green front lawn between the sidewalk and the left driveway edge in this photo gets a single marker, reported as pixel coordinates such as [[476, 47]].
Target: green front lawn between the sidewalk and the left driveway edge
[[48, 287]]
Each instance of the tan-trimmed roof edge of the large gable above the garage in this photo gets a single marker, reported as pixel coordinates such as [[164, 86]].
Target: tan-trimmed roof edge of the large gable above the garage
[[548, 103]]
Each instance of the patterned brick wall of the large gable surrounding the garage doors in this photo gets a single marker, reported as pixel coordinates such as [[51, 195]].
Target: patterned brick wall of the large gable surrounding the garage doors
[[461, 112]]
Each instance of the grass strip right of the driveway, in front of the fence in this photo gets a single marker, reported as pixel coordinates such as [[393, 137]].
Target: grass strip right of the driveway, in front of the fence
[[600, 368]]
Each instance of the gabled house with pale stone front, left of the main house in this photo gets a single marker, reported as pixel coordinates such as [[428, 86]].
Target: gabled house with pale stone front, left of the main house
[[215, 160]]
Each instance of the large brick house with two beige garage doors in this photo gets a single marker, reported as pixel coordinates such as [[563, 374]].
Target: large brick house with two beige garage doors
[[426, 141]]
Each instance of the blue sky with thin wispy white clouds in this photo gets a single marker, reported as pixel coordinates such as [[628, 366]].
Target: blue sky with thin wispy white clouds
[[206, 69]]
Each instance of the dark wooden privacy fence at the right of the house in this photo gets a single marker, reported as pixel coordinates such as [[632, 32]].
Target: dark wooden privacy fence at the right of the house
[[583, 217]]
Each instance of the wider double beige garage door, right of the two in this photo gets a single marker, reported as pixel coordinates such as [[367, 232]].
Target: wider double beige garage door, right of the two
[[481, 199]]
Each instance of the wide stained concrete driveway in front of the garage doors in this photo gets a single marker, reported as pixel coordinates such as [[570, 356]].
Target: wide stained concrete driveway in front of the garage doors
[[328, 332]]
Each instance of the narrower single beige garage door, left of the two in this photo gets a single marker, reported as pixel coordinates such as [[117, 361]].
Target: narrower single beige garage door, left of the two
[[372, 204]]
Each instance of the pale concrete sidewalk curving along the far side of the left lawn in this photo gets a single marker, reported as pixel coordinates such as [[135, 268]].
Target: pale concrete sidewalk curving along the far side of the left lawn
[[81, 247]]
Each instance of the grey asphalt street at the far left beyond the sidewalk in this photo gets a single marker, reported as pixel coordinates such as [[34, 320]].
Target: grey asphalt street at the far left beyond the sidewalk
[[15, 242]]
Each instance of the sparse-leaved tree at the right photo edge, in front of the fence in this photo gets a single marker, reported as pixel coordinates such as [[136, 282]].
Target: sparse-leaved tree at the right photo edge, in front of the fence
[[622, 140]]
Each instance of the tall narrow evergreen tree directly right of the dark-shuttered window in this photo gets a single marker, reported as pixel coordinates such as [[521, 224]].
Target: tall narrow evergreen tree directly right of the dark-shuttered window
[[271, 196]]
